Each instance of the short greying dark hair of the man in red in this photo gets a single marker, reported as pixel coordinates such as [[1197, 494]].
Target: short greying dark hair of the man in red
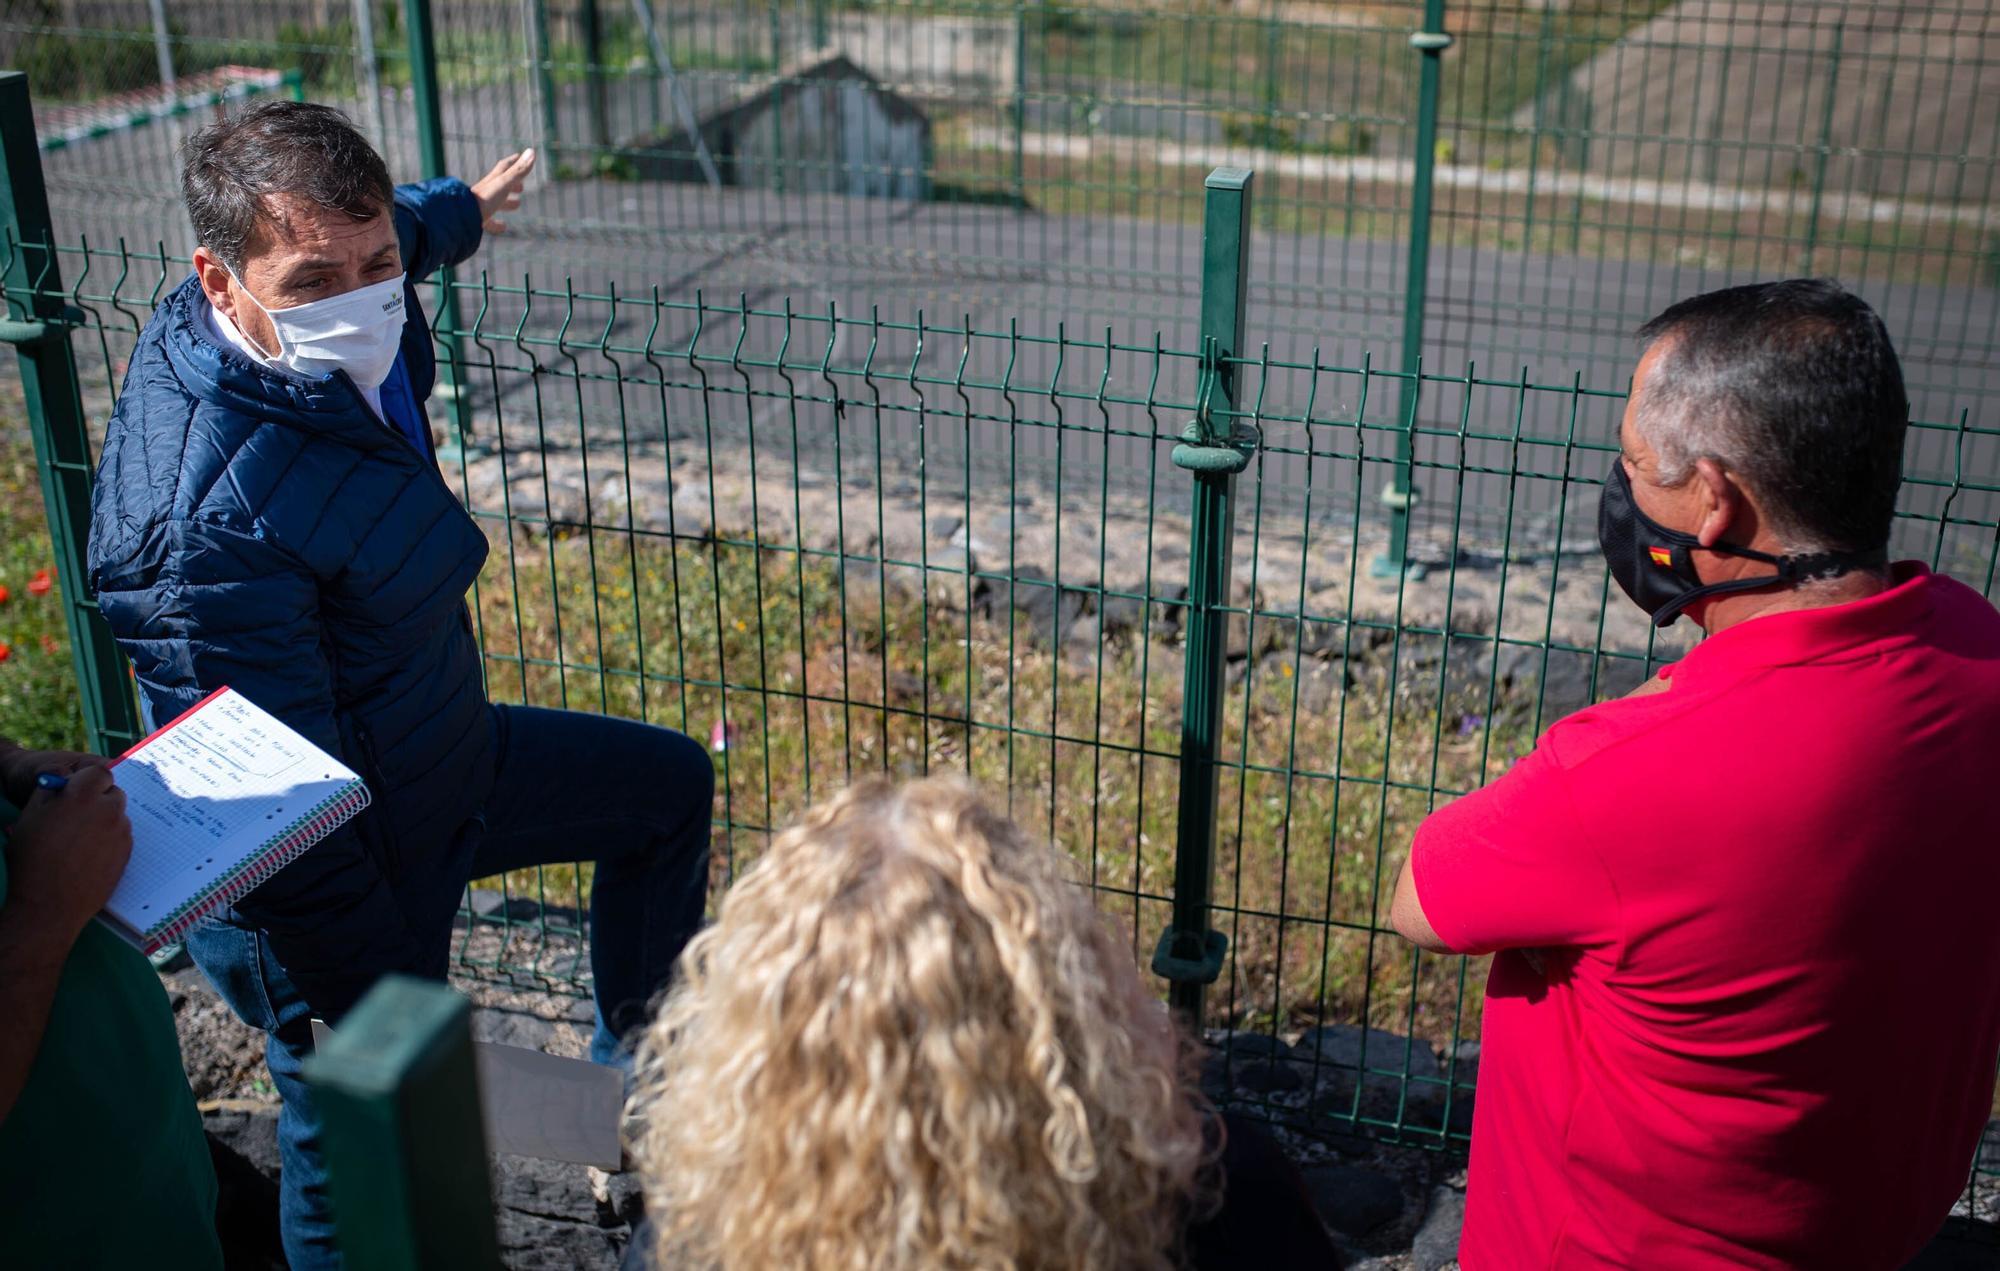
[[1793, 385]]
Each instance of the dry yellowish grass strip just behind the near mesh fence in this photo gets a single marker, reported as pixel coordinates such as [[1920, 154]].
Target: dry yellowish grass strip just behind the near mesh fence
[[823, 674]]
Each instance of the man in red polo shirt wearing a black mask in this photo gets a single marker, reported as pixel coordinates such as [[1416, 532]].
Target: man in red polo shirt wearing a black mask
[[1745, 1004]]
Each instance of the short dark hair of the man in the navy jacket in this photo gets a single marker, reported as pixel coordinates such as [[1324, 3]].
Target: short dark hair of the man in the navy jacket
[[299, 149]]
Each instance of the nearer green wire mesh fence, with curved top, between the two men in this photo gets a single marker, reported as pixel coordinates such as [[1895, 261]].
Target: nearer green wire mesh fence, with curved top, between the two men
[[839, 545]]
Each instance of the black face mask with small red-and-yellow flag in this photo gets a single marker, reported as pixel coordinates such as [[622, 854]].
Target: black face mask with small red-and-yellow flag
[[1655, 567]]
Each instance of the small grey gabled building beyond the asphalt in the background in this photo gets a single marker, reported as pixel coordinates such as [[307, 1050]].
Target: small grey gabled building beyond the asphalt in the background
[[823, 127]]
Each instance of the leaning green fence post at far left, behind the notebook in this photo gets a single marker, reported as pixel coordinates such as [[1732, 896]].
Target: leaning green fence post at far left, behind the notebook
[[33, 323]]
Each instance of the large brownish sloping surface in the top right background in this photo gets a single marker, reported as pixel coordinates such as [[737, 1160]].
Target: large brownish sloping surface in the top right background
[[1745, 93]]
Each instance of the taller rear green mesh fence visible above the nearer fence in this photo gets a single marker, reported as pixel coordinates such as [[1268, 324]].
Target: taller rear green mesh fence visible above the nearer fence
[[1509, 185]]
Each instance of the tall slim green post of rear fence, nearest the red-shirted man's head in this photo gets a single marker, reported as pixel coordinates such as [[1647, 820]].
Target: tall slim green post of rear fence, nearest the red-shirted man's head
[[1401, 495]]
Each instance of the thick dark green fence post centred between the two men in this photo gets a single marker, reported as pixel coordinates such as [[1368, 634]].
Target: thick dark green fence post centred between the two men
[[1215, 449]]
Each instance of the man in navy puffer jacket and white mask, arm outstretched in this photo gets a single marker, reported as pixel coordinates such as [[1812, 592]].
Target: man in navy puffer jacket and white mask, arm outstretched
[[271, 517]]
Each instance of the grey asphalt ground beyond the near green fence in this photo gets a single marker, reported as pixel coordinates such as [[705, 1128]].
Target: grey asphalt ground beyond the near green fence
[[1551, 321]]
